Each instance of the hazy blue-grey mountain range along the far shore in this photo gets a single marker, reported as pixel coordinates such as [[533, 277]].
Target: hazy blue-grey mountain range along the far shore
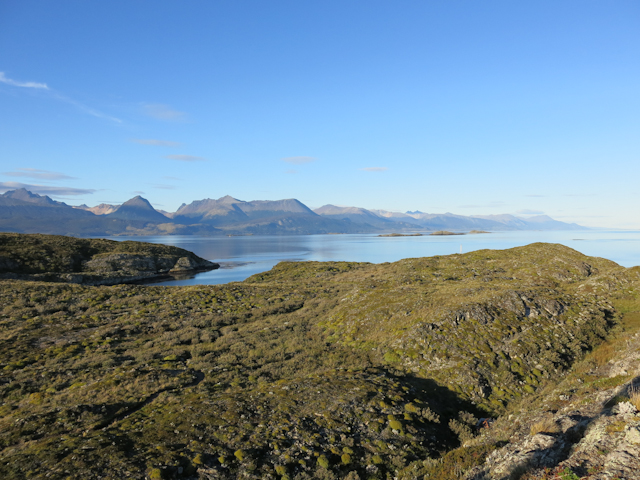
[[25, 212]]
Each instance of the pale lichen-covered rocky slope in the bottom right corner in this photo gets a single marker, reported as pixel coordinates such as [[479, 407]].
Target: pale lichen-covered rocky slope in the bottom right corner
[[572, 434]]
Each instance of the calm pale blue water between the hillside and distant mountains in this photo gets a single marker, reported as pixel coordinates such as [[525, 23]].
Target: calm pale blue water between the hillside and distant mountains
[[241, 257]]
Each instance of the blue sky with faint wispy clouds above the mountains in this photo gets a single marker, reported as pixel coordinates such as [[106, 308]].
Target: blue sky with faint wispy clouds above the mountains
[[470, 107]]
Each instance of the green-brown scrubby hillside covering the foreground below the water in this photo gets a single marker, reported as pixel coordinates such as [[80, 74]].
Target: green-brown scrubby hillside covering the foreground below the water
[[311, 370]]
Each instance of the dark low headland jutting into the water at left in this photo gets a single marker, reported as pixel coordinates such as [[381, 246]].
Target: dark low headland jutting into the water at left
[[92, 261]]
